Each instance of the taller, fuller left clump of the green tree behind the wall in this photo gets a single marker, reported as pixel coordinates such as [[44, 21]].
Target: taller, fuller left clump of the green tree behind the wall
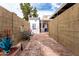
[[26, 10]]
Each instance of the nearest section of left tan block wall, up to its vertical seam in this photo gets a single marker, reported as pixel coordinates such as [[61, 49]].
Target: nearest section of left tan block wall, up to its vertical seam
[[5, 19]]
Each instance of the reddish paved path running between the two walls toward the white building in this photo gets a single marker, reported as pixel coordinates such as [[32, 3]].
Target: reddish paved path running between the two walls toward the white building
[[42, 45]]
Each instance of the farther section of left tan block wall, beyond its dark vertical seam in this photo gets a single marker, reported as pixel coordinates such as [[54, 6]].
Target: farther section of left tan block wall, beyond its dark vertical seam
[[17, 23]]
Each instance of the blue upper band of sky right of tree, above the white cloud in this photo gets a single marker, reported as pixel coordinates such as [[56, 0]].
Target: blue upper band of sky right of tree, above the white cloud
[[45, 6]]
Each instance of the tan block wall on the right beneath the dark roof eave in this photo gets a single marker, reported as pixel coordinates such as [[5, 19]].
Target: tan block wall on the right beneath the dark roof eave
[[65, 29]]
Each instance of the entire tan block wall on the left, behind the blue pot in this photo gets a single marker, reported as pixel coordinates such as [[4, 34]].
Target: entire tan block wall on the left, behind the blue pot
[[11, 20]]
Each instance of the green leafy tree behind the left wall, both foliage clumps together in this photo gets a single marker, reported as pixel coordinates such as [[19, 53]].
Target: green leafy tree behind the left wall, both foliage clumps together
[[27, 11]]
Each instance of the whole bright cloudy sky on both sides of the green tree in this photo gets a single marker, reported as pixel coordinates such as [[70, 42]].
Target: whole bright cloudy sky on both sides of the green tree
[[42, 8]]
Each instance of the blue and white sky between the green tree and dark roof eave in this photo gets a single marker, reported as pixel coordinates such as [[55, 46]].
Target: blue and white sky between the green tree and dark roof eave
[[46, 8]]
